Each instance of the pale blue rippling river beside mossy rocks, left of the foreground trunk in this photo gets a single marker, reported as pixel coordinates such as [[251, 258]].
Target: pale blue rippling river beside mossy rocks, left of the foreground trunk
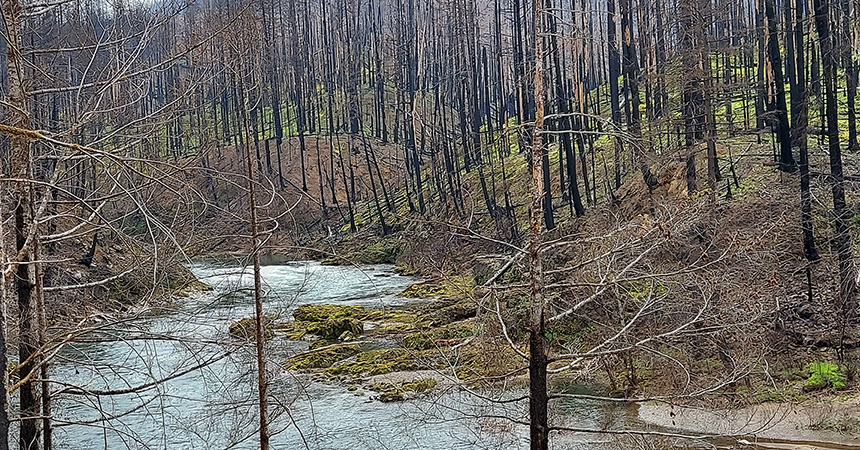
[[214, 406]]
